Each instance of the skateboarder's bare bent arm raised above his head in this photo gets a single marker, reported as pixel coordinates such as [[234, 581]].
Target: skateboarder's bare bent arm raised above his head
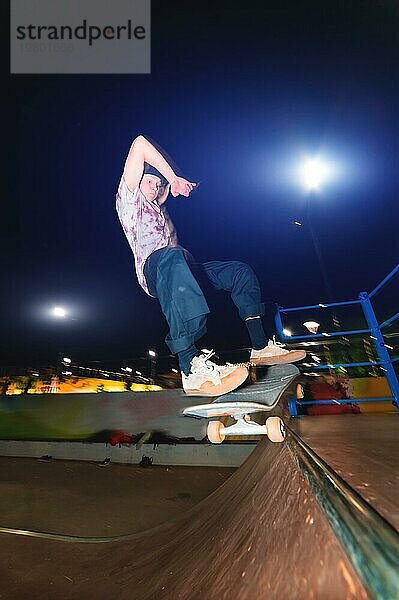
[[142, 151]]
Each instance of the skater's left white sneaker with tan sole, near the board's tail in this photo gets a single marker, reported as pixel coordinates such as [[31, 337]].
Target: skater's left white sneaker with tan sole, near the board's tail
[[206, 378]]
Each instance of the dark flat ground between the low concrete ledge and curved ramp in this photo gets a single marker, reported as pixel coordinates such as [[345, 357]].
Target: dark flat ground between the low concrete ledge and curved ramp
[[82, 499]]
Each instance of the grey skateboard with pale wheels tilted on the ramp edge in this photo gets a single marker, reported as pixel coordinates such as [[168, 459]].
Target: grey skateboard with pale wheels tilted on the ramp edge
[[264, 395]]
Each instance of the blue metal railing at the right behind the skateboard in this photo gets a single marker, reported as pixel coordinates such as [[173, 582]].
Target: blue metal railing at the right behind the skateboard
[[374, 329]]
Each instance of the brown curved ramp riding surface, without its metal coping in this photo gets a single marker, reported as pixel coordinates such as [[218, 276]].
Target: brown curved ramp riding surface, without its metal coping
[[260, 535]]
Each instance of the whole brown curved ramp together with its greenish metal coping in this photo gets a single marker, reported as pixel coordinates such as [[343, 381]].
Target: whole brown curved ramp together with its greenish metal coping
[[283, 526]]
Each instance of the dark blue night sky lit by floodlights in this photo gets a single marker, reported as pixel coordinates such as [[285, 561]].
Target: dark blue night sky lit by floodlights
[[238, 93]]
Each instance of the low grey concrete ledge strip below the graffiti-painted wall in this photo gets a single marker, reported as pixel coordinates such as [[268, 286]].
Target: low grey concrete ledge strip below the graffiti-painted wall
[[200, 455]]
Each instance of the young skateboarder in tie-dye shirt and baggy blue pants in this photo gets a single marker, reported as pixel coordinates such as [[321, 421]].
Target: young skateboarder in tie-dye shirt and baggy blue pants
[[165, 271]]
